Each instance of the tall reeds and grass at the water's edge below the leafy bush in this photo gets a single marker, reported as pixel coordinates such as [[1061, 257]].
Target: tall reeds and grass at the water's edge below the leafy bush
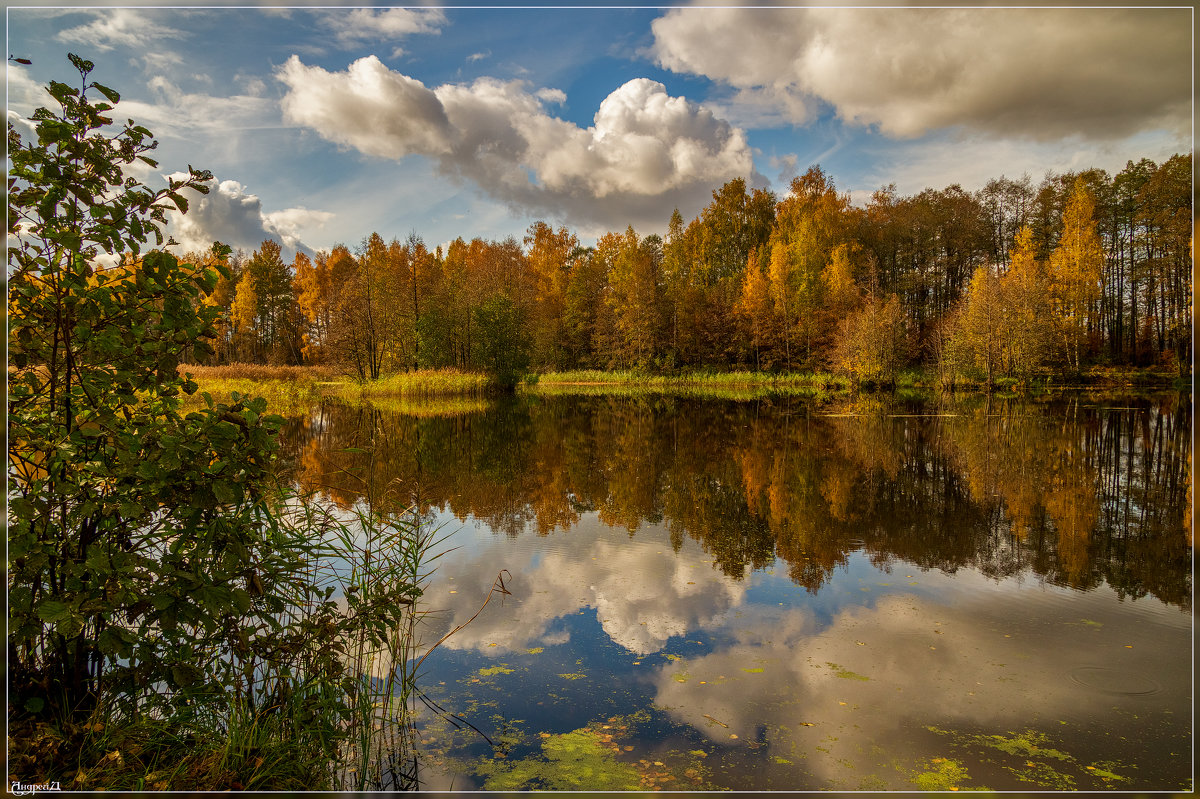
[[320, 699]]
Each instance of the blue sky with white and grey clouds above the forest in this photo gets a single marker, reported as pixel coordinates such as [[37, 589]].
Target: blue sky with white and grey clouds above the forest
[[323, 125]]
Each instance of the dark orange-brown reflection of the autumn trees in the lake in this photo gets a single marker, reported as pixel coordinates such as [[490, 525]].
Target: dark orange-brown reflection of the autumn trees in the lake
[[1073, 492]]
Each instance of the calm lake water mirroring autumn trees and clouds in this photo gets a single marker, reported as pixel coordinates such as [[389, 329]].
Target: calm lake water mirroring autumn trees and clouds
[[794, 596]]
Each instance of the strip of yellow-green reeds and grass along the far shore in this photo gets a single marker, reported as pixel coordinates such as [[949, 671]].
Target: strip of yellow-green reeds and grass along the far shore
[[293, 389]]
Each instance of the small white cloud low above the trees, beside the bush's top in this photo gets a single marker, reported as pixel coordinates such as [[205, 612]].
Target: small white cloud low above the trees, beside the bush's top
[[232, 215]]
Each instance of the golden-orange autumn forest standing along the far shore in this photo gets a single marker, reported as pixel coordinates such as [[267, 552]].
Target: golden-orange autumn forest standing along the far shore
[[1012, 280]]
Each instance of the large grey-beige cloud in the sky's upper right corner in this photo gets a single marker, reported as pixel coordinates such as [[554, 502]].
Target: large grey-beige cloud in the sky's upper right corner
[[1037, 74]]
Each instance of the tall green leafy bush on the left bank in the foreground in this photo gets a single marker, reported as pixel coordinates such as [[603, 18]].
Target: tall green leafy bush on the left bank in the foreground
[[158, 578]]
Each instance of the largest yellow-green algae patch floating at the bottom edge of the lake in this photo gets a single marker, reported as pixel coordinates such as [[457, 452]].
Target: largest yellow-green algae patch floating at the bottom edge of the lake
[[574, 761]]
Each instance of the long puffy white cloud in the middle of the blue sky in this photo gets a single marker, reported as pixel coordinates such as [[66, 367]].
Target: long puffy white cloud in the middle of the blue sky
[[645, 153]]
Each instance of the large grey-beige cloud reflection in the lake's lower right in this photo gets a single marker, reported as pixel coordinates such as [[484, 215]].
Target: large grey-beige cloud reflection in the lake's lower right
[[905, 681]]
